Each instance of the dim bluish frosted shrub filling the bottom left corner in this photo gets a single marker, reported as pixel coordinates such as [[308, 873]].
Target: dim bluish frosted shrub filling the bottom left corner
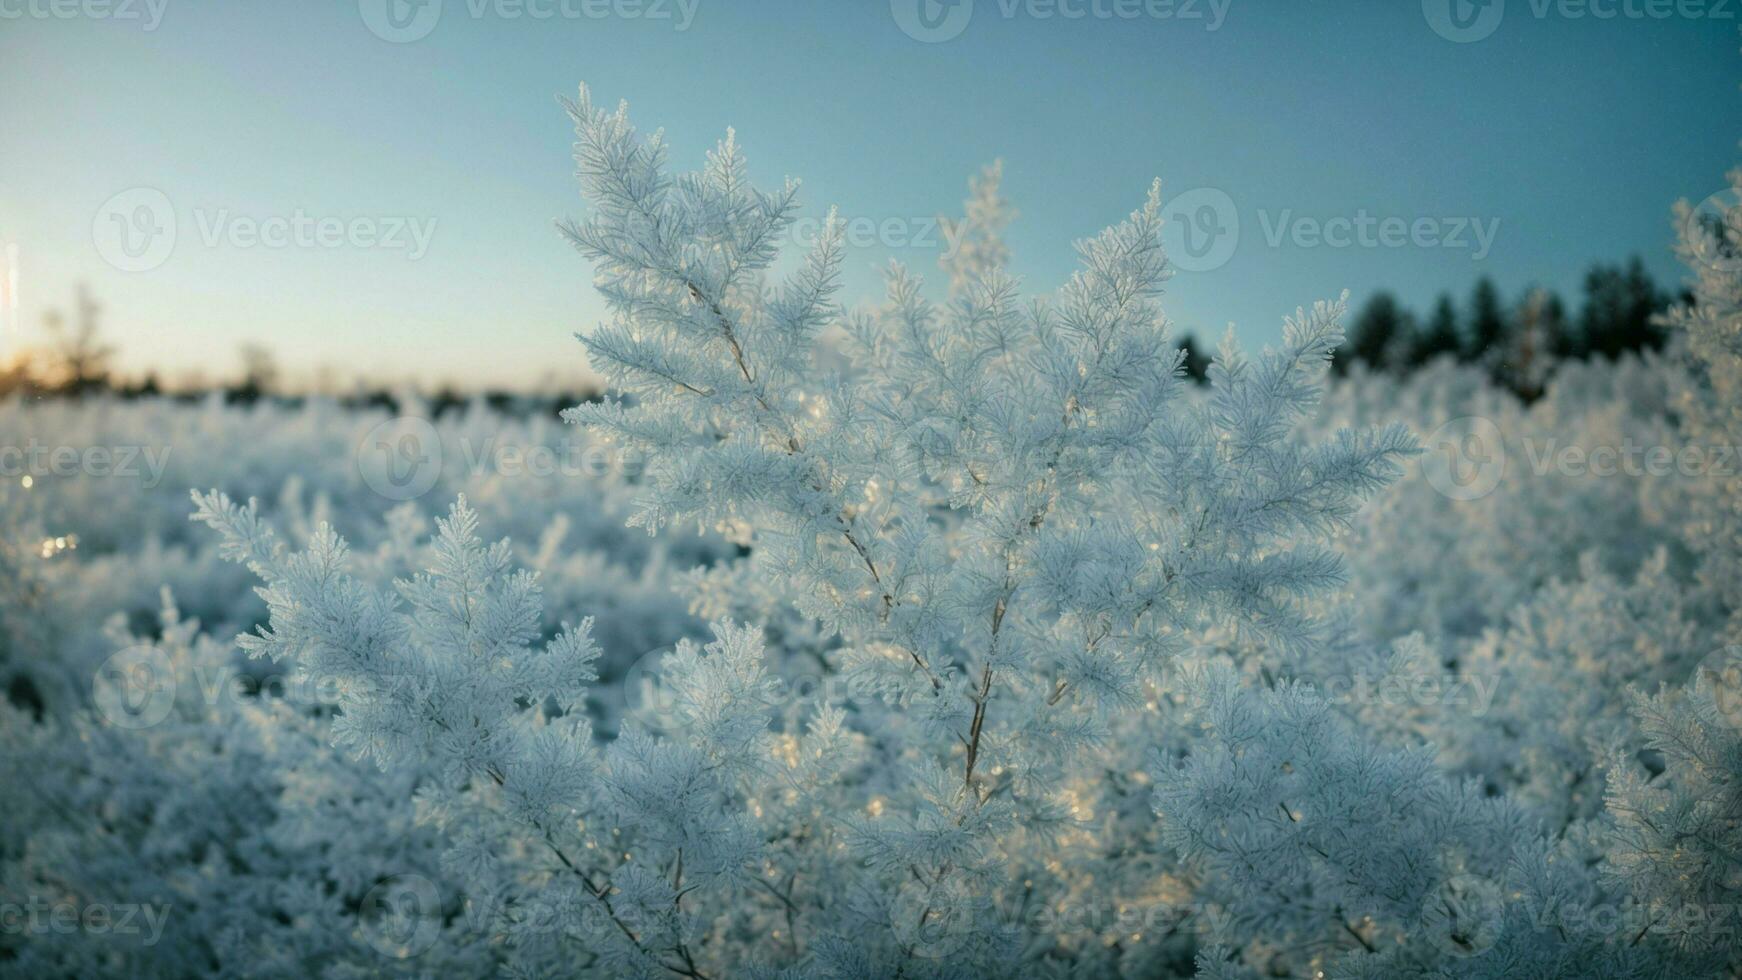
[[205, 829]]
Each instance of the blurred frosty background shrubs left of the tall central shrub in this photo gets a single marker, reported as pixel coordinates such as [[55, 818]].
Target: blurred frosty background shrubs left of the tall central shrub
[[105, 528]]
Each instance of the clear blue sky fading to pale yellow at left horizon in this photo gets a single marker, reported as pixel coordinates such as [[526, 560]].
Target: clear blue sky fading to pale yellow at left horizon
[[1574, 133]]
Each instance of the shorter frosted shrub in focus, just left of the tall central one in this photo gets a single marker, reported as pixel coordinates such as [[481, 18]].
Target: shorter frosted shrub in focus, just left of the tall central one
[[572, 856]]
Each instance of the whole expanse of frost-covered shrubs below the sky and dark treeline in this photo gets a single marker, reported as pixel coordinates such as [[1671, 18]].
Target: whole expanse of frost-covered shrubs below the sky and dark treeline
[[996, 650]]
